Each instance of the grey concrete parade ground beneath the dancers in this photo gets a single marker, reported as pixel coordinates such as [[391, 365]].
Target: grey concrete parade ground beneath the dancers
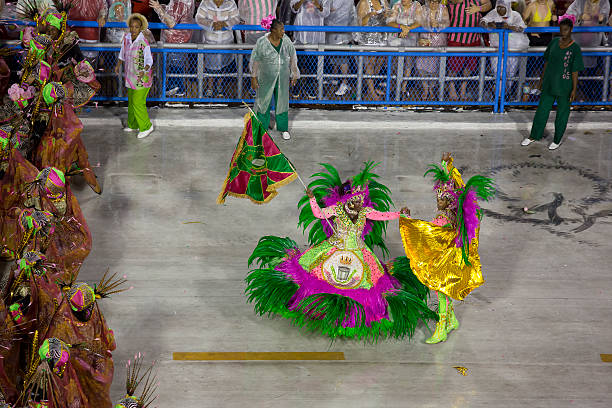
[[532, 336]]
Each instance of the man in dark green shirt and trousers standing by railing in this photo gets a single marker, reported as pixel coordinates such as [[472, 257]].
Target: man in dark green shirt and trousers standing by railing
[[558, 82]]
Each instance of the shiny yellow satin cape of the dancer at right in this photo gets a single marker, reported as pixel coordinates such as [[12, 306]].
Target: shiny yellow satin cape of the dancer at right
[[437, 262]]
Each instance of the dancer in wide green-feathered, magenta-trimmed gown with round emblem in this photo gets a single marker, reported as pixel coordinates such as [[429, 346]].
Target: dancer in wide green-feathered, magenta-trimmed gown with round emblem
[[338, 286]]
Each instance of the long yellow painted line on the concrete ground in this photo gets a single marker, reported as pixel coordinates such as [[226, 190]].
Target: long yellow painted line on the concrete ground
[[245, 356]]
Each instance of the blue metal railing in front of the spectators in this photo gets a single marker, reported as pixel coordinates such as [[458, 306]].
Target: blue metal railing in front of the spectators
[[495, 90]]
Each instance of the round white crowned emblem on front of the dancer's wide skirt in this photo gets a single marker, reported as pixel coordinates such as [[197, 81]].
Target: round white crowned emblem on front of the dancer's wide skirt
[[344, 270]]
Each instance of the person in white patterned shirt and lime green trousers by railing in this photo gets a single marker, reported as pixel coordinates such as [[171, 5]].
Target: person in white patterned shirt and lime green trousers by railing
[[136, 54]]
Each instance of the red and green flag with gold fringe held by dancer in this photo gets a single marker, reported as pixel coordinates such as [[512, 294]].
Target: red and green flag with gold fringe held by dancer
[[258, 167]]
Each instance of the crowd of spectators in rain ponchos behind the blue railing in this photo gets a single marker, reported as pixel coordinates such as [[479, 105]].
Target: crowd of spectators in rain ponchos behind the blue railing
[[214, 16]]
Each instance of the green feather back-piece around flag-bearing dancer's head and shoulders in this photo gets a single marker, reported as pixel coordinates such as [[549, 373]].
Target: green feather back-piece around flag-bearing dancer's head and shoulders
[[326, 185]]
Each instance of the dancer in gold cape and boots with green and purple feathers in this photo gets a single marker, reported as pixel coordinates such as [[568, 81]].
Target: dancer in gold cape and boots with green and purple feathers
[[444, 253]]
